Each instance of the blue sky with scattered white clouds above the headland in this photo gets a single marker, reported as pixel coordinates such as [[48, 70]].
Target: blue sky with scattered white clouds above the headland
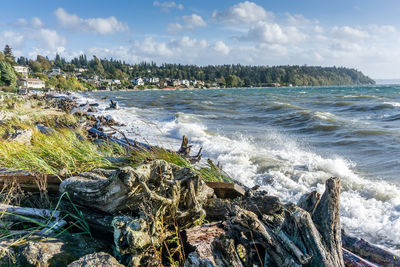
[[361, 34]]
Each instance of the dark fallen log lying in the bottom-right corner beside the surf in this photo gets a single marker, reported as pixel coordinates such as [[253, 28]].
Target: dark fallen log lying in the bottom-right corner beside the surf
[[369, 251]]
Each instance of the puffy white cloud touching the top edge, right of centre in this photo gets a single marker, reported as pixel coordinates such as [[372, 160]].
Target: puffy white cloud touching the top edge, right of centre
[[244, 12]]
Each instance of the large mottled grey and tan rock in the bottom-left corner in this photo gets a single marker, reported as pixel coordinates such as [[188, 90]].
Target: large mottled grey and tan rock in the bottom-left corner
[[55, 251]]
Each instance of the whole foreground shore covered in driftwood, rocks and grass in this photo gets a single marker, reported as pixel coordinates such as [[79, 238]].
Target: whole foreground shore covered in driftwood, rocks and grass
[[75, 191]]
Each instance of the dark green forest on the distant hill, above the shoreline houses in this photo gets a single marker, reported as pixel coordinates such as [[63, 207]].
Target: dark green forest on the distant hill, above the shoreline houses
[[222, 75]]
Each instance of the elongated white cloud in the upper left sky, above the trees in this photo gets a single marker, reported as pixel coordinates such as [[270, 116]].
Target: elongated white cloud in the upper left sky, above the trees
[[94, 25]]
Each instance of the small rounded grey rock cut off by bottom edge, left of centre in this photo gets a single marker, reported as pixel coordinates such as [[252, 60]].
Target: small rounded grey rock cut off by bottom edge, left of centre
[[96, 260]]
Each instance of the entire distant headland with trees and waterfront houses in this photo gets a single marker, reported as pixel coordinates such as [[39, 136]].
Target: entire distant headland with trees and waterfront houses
[[81, 74]]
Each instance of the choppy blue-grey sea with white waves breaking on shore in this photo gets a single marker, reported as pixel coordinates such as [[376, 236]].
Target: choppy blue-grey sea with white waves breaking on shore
[[288, 140]]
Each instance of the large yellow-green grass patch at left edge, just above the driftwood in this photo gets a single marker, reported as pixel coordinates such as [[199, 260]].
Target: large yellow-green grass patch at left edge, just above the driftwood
[[52, 153]]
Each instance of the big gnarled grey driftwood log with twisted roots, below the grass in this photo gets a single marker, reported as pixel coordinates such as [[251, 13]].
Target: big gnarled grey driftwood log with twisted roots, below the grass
[[173, 191]]
